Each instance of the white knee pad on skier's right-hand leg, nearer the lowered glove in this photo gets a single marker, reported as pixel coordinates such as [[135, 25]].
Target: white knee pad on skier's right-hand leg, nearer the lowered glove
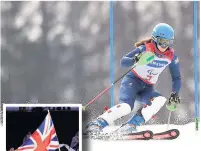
[[149, 111]]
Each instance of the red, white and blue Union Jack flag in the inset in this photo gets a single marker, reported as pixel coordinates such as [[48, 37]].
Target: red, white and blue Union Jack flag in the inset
[[43, 139]]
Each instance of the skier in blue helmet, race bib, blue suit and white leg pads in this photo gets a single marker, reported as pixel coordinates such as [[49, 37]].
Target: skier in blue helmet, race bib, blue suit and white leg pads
[[140, 81]]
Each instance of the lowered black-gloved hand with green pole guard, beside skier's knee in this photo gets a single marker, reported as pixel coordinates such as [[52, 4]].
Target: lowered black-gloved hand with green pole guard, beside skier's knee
[[173, 101]]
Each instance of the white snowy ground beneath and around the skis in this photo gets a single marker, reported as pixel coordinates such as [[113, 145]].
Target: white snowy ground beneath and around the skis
[[188, 139]]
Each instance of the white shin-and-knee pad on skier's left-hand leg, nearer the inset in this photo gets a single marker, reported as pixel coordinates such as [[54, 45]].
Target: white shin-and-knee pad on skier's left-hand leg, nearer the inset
[[116, 112]]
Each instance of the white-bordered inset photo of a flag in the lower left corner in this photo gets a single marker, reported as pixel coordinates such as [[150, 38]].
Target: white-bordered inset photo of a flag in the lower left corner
[[40, 127]]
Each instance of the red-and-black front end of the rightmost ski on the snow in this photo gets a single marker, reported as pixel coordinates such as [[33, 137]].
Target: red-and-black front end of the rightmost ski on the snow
[[167, 135]]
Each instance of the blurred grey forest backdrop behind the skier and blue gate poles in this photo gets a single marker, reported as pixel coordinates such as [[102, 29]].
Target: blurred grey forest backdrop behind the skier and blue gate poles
[[59, 52]]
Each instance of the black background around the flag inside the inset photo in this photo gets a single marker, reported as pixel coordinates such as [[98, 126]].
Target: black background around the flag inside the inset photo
[[18, 124]]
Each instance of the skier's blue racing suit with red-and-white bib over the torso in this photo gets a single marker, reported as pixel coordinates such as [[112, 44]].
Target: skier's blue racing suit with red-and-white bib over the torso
[[140, 81]]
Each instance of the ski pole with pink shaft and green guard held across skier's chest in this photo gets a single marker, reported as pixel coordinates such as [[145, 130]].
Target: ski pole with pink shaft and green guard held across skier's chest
[[145, 58]]
